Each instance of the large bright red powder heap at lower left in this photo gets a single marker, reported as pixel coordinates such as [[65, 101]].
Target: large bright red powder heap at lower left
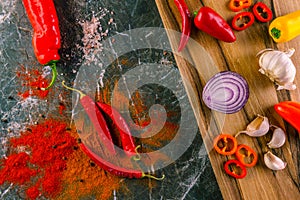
[[49, 144]]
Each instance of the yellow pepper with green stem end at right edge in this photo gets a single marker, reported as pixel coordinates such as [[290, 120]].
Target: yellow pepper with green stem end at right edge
[[285, 28]]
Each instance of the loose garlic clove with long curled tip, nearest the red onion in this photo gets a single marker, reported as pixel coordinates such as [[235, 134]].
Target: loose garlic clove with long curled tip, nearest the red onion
[[258, 127]]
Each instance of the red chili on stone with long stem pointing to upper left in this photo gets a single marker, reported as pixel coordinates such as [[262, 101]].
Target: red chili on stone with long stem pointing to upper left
[[96, 118]]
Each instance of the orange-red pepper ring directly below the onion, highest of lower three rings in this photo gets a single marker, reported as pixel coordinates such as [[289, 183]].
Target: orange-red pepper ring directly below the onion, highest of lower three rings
[[225, 144]]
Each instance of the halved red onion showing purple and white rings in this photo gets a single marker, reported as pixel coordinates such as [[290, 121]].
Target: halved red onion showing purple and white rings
[[226, 92]]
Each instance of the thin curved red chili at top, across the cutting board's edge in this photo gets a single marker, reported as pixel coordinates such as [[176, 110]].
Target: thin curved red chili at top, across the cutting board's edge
[[186, 23]]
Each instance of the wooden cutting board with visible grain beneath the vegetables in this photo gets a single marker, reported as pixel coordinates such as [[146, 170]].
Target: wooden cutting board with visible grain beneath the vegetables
[[240, 56]]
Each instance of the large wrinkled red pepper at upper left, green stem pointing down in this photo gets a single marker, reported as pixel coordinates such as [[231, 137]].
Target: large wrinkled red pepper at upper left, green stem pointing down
[[46, 37]]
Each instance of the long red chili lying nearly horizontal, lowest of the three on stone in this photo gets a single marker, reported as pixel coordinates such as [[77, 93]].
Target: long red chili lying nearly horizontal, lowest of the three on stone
[[113, 169]]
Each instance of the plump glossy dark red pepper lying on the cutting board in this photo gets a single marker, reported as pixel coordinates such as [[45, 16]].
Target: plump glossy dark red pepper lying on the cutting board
[[213, 24]]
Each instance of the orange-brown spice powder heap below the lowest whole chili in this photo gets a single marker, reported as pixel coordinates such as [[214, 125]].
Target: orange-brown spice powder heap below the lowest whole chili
[[84, 179]]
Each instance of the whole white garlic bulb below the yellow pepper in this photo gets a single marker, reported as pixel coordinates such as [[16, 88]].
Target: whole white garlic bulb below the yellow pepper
[[278, 66]]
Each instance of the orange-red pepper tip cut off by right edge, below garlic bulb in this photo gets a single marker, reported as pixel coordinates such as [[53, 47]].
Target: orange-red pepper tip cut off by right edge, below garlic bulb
[[290, 112]]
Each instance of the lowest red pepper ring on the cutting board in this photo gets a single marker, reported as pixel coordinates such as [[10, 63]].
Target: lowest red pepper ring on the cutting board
[[235, 169]]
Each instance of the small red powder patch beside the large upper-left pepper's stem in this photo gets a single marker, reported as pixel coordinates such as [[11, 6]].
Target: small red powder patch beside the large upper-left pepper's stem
[[33, 81]]
